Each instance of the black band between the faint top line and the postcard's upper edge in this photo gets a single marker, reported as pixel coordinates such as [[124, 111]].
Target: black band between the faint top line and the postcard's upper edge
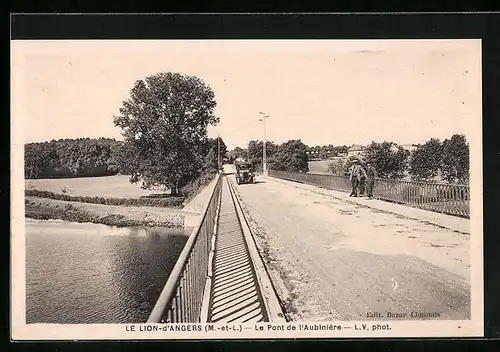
[[255, 26]]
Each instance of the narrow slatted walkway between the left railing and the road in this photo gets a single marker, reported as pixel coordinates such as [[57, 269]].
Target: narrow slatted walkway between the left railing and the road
[[235, 294]]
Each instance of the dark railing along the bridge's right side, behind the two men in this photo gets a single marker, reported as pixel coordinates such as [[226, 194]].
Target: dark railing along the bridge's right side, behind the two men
[[442, 198]]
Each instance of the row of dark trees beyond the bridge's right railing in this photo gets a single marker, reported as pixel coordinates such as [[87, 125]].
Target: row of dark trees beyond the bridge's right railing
[[434, 160]]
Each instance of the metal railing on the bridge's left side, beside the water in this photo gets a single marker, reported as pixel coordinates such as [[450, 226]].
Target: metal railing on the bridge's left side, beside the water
[[182, 296]]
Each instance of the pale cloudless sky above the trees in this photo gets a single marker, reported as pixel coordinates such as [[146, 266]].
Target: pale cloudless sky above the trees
[[319, 91]]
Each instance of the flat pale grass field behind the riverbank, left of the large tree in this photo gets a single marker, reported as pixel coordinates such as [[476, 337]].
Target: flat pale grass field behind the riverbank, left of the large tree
[[108, 187]]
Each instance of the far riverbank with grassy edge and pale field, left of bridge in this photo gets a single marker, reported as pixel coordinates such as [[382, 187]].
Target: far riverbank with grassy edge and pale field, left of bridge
[[79, 200]]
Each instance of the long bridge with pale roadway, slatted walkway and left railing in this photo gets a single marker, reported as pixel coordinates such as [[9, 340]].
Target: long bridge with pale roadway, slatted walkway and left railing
[[291, 248]]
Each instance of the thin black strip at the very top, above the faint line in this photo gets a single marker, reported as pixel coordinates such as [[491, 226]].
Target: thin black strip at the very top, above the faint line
[[228, 6]]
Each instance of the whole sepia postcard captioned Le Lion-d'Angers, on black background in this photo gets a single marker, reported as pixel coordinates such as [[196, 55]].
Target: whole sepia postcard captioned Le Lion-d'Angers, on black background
[[234, 189]]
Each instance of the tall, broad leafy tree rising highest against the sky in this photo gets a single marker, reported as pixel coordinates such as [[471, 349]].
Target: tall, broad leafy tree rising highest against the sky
[[164, 124]]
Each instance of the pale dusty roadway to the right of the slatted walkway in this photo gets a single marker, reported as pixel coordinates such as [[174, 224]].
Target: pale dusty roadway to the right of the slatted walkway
[[331, 260]]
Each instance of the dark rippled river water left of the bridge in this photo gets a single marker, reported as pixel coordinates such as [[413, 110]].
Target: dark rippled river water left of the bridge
[[89, 273]]
